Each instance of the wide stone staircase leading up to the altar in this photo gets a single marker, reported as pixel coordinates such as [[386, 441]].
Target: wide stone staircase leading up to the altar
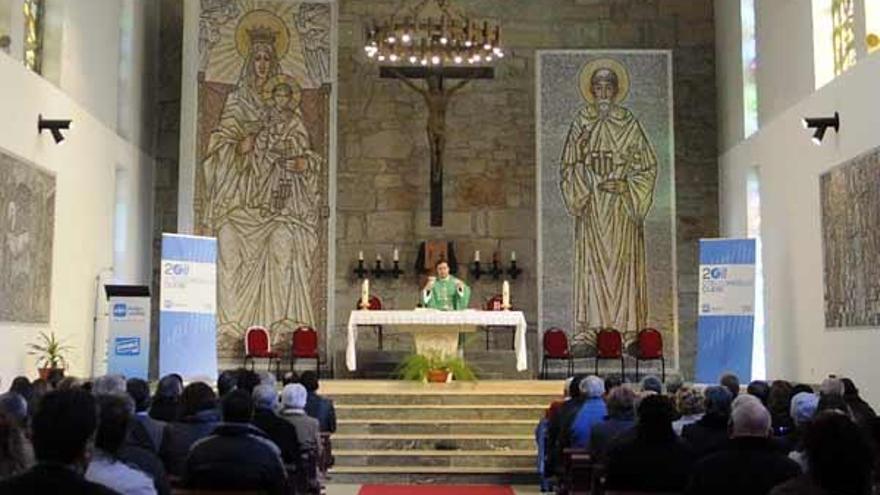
[[446, 433]]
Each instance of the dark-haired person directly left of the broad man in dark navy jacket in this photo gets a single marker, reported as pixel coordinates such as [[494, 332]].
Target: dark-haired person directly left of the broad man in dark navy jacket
[[199, 418]]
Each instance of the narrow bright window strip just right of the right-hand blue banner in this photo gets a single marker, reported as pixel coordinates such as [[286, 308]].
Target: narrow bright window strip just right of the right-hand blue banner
[[753, 226]]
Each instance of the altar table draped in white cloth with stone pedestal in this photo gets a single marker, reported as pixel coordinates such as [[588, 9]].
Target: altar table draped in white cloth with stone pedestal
[[437, 331]]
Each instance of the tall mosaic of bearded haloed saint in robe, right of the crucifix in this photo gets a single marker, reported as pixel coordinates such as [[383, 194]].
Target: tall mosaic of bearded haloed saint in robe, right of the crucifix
[[605, 142]]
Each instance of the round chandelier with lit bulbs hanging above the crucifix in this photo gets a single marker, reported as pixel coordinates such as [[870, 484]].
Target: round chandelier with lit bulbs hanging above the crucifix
[[433, 33]]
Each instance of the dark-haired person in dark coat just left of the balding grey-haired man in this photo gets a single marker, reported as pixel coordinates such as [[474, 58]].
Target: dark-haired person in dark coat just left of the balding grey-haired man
[[709, 434]]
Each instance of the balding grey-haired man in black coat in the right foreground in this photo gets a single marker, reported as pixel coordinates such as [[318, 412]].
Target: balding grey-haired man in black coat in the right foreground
[[751, 464]]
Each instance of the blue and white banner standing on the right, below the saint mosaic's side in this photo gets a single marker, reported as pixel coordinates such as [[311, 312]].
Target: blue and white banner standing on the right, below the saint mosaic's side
[[725, 327]]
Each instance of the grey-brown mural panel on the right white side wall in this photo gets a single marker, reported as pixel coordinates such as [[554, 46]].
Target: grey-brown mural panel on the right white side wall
[[850, 200]]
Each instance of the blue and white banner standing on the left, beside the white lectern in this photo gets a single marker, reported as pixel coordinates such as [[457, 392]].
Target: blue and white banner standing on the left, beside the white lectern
[[187, 315]]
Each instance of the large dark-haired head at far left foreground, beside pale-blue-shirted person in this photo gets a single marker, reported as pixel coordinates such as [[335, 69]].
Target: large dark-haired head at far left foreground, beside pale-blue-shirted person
[[63, 424]]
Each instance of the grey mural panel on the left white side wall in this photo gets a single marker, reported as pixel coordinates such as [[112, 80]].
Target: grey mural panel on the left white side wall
[[27, 222]]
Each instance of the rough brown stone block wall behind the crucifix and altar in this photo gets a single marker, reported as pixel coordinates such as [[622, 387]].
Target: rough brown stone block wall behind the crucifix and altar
[[489, 189]]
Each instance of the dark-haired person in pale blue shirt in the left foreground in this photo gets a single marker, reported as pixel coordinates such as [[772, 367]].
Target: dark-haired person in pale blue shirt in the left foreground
[[105, 467]]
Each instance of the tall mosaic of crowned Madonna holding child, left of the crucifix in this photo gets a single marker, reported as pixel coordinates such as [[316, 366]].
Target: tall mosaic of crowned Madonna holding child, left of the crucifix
[[262, 174]]
